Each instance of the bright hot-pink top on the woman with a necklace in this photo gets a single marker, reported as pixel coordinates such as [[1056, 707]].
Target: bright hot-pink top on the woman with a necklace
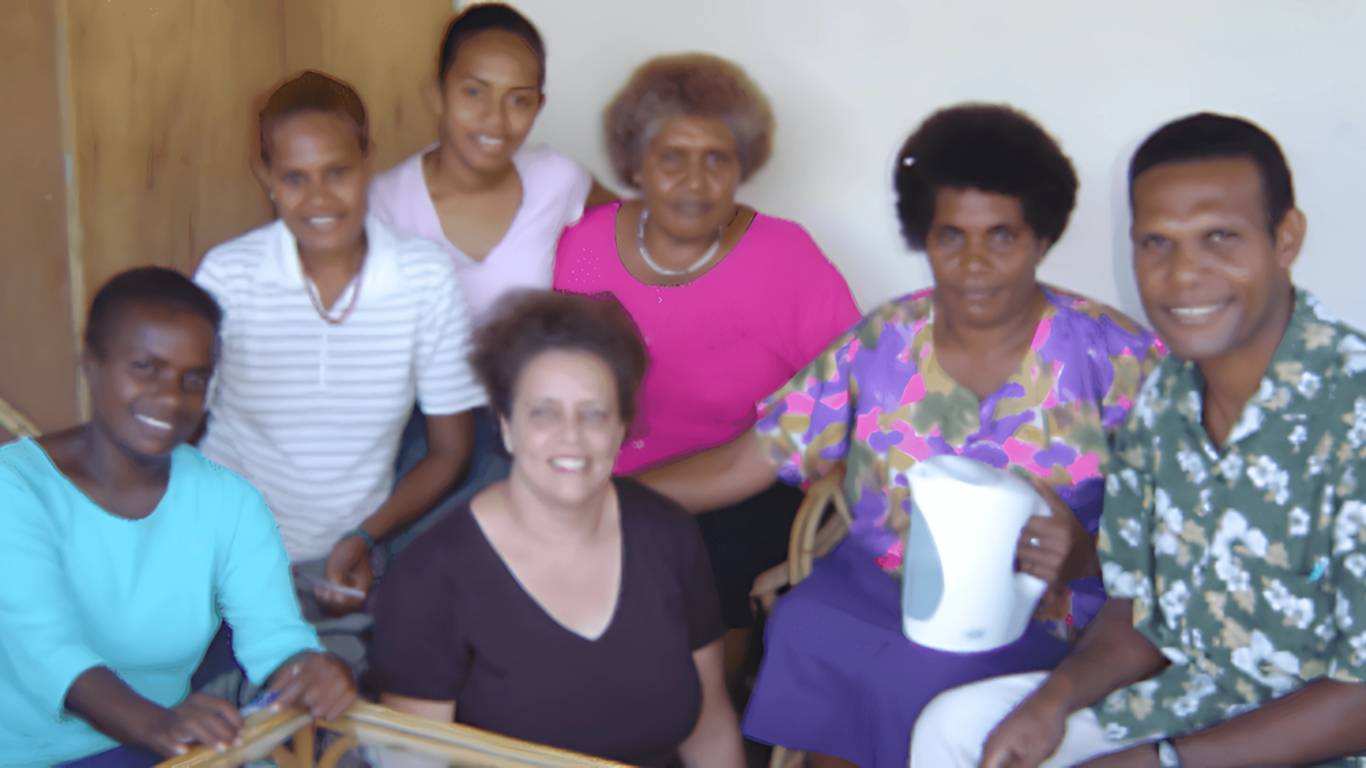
[[721, 344]]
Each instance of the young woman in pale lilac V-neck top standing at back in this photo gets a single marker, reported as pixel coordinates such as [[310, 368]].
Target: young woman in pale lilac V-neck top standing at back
[[492, 204]]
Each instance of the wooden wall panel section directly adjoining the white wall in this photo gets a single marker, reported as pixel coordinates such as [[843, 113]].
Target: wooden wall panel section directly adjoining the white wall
[[386, 50]]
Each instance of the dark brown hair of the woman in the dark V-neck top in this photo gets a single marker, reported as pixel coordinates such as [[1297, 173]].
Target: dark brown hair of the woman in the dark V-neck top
[[528, 323]]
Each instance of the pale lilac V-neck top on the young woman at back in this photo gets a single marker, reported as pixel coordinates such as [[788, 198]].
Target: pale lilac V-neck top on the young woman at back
[[554, 189]]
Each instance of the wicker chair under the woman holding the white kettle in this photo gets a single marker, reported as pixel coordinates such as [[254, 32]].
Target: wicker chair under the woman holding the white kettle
[[822, 523]]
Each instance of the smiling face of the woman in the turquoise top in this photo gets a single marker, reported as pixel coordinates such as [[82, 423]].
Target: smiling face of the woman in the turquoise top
[[148, 382]]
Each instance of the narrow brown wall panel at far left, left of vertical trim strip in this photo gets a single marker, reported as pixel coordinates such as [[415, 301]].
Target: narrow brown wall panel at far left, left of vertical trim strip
[[38, 359]]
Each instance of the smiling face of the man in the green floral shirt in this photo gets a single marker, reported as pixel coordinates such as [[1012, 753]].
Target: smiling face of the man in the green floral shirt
[[1214, 278]]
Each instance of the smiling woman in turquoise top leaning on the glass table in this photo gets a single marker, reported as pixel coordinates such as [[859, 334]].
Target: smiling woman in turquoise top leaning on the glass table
[[125, 550]]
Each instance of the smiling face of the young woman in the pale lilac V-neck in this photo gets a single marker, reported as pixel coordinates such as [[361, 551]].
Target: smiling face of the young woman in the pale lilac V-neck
[[490, 100]]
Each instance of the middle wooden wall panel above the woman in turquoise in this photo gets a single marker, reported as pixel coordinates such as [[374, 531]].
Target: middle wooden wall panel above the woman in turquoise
[[165, 96]]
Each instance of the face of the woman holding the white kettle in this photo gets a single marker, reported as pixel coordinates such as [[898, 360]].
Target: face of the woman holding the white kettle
[[984, 256]]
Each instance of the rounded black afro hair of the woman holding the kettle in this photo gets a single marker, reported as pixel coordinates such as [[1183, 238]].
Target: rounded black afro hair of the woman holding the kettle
[[991, 148]]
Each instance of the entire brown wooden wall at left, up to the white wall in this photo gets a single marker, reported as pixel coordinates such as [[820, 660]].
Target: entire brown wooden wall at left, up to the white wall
[[158, 100]]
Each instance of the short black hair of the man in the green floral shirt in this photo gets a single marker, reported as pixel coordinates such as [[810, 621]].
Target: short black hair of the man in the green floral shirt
[[1207, 136]]
